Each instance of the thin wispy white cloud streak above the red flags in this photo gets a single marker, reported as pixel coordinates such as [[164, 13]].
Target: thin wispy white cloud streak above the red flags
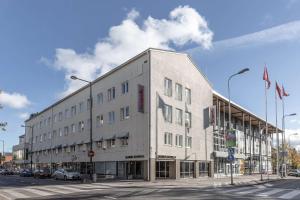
[[285, 32]]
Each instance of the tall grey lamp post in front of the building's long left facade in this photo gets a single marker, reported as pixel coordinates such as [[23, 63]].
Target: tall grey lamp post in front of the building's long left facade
[[91, 153]]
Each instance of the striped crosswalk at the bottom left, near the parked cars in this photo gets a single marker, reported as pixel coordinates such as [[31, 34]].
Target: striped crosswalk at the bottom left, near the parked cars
[[49, 190]]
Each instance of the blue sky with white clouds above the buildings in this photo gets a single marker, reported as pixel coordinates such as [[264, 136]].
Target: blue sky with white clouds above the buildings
[[43, 42]]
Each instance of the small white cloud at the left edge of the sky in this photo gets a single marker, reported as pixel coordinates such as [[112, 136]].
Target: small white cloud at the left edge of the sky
[[14, 100]]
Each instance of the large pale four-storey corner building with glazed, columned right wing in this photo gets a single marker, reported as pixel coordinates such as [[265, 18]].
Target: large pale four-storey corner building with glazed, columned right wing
[[152, 118]]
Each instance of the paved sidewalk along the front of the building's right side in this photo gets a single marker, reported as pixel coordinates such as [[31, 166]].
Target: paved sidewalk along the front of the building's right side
[[198, 182]]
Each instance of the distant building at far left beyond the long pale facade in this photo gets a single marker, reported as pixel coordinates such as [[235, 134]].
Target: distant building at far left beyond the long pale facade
[[20, 153]]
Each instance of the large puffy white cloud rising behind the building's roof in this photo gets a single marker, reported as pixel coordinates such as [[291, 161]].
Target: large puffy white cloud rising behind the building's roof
[[184, 25]]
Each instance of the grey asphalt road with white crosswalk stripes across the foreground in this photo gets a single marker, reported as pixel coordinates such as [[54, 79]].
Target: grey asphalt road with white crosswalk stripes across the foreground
[[14, 187]]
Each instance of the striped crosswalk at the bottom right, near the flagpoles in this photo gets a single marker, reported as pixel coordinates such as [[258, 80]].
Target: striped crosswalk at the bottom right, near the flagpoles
[[261, 191]]
